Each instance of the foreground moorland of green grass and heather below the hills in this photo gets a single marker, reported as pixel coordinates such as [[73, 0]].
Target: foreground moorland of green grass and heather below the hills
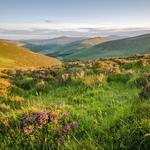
[[102, 104]]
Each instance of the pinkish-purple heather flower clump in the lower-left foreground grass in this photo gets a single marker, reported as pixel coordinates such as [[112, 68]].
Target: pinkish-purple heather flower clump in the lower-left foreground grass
[[38, 119]]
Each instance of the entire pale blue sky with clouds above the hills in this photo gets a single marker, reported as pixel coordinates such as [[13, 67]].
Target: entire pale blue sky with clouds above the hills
[[24, 19]]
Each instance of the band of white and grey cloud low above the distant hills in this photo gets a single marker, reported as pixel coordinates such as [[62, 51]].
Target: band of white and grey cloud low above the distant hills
[[52, 28]]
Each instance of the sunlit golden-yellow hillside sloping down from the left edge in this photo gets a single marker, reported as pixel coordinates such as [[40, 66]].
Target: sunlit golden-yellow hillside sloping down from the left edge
[[12, 55]]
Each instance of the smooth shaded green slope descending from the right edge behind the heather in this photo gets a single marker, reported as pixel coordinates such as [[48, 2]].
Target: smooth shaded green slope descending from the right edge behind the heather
[[123, 47]]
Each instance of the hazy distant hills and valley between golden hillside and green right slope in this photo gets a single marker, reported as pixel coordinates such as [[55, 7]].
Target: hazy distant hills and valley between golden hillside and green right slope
[[59, 47]]
